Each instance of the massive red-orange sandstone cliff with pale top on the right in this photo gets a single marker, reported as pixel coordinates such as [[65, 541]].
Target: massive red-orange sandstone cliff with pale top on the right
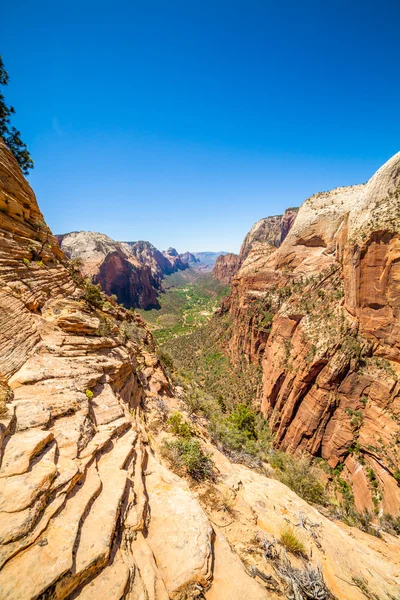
[[321, 315]]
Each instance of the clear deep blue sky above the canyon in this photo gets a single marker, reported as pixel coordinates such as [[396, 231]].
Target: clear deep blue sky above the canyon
[[184, 122]]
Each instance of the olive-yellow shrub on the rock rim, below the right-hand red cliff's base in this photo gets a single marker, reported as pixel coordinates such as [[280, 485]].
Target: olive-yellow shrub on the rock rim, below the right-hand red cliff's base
[[300, 476]]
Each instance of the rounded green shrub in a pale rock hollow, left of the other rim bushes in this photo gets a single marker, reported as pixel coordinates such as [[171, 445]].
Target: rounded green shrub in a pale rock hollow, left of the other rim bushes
[[188, 454]]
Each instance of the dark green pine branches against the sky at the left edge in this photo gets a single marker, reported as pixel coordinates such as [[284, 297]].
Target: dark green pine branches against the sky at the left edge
[[10, 134]]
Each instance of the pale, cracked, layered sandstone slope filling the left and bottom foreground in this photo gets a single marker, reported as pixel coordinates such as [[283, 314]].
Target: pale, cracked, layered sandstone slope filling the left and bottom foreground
[[88, 506]]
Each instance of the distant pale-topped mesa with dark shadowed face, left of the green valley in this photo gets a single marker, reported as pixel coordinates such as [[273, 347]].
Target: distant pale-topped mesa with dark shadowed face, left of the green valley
[[133, 271]]
